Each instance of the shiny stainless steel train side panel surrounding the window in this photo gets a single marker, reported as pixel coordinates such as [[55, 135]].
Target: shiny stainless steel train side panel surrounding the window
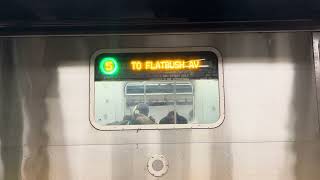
[[270, 130]]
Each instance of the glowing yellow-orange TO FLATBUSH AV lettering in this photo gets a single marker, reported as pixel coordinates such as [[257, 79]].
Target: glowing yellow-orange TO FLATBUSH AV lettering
[[165, 65]]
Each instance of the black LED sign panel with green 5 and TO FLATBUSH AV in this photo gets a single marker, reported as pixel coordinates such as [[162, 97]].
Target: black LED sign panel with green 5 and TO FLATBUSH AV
[[161, 66]]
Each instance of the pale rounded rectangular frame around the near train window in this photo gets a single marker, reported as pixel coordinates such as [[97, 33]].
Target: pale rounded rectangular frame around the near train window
[[155, 126]]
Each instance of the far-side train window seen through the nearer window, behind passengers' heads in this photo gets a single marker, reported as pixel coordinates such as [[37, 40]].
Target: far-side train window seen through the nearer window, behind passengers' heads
[[161, 98]]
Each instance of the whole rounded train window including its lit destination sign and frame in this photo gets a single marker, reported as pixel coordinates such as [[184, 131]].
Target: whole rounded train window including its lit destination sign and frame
[[162, 88]]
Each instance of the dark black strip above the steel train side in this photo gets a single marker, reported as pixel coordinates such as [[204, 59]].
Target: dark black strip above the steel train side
[[87, 16]]
